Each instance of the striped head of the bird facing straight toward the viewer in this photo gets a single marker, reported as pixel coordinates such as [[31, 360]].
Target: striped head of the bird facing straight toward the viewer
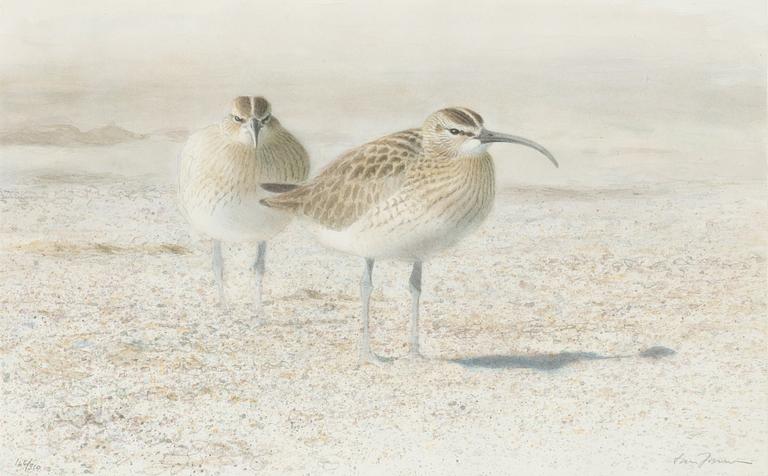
[[249, 118]]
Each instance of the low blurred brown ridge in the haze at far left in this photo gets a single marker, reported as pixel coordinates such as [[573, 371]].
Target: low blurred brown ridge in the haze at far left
[[66, 135]]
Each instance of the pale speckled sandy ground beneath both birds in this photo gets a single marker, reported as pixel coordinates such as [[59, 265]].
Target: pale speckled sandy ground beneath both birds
[[597, 330]]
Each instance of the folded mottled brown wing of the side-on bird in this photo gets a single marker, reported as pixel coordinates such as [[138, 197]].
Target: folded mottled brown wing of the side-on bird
[[355, 182]]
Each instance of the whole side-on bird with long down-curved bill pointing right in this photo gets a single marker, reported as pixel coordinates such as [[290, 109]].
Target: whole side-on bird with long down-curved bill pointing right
[[404, 196]]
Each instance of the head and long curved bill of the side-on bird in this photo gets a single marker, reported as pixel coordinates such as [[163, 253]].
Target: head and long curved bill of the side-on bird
[[459, 132]]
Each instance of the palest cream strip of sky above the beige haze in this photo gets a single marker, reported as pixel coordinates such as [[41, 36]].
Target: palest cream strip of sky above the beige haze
[[232, 38]]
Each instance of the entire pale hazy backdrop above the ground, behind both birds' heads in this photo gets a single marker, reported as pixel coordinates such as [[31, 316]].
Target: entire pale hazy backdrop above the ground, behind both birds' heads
[[589, 77]]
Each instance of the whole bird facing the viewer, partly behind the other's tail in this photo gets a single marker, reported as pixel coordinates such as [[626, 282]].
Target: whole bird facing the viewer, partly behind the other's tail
[[220, 170]]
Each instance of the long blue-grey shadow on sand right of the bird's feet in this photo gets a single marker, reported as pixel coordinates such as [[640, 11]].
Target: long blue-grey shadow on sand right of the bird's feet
[[547, 362]]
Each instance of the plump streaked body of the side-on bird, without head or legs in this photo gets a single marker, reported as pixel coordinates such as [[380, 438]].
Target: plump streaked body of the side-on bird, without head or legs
[[391, 199]]
